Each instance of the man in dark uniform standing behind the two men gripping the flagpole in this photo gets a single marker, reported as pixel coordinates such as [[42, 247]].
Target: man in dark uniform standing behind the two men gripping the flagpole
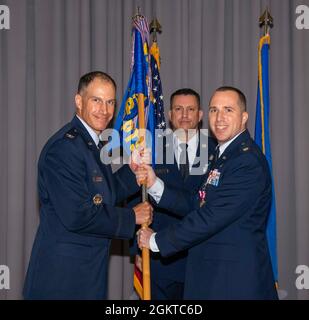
[[185, 115]]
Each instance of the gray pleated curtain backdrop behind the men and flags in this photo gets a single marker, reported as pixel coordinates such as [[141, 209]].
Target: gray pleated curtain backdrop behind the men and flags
[[204, 44]]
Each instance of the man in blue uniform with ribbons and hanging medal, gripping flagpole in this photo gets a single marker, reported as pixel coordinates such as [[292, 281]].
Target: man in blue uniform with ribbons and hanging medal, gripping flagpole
[[225, 230]]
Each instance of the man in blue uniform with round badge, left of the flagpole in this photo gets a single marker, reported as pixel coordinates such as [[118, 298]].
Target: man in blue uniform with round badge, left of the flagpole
[[78, 193]]
